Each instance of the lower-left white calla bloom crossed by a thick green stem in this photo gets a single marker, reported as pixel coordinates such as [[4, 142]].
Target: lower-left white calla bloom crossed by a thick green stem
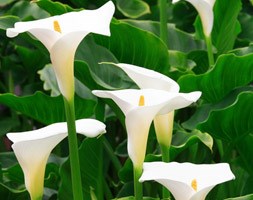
[[32, 149]]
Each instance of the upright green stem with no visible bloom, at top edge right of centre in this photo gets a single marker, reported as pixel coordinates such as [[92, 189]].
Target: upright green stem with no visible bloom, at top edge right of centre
[[163, 21]]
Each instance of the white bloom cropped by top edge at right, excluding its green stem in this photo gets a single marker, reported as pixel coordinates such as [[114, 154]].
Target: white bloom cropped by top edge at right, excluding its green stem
[[205, 10]]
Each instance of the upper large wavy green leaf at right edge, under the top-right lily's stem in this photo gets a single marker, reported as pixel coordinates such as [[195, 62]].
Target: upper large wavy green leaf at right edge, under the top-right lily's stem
[[229, 72]]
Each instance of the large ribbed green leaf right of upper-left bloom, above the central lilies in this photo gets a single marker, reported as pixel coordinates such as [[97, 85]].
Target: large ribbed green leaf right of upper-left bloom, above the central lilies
[[135, 46]]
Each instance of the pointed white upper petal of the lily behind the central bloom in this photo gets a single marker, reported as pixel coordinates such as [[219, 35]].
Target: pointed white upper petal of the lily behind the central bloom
[[146, 78]]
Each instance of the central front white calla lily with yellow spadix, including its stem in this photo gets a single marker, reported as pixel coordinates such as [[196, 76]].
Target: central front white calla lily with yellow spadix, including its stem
[[140, 107]]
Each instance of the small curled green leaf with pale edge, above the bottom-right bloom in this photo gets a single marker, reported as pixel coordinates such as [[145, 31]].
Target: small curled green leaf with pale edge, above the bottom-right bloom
[[182, 140]]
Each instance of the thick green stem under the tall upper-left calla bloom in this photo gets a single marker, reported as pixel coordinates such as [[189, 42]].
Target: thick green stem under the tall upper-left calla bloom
[[73, 150]]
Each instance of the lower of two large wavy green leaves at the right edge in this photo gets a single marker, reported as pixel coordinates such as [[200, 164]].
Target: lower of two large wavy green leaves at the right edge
[[233, 122]]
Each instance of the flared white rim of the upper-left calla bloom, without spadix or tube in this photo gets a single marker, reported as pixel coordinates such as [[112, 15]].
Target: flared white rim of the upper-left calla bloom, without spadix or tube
[[96, 21]]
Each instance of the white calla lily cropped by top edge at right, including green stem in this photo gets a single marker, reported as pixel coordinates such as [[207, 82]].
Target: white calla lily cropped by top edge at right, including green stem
[[205, 10]]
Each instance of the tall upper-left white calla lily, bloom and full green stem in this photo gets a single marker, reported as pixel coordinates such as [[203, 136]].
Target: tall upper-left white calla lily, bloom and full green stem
[[61, 35]]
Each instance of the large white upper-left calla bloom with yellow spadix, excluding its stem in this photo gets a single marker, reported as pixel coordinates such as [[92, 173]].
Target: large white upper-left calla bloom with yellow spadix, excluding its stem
[[62, 34]]
